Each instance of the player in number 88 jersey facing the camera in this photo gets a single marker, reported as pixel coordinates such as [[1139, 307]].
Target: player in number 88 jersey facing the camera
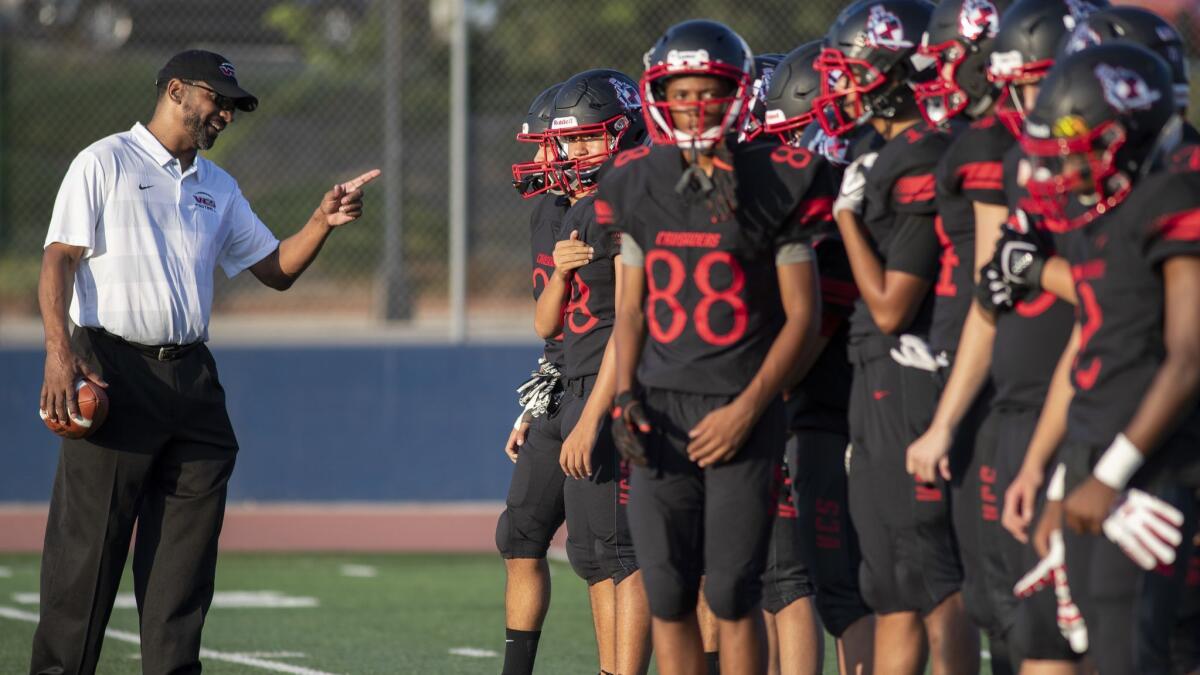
[[718, 298]]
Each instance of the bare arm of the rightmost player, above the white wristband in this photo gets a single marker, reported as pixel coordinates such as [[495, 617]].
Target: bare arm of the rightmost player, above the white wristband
[[1173, 393]]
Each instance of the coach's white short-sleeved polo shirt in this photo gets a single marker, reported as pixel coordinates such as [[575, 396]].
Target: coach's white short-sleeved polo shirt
[[153, 237]]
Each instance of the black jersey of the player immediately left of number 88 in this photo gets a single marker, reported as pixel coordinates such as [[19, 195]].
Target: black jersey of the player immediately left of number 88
[[590, 313]]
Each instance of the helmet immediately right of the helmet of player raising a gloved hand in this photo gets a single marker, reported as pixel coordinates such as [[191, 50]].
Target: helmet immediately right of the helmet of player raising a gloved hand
[[958, 43]]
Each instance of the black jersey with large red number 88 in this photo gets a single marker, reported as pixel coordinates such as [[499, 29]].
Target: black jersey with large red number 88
[[712, 292]]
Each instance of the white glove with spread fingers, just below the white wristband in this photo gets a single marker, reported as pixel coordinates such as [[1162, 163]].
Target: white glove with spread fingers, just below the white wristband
[[1147, 529]]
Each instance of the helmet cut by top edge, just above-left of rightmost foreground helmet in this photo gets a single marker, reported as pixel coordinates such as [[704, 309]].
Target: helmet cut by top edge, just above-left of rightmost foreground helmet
[[1025, 47]]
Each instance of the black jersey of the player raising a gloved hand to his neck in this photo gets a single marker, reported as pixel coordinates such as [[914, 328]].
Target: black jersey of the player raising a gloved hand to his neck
[[899, 212]]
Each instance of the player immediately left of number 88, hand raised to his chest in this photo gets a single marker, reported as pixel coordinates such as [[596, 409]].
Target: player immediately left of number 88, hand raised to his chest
[[596, 115]]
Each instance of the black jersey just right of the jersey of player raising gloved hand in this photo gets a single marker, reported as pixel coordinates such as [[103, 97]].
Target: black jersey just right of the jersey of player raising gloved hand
[[971, 171]]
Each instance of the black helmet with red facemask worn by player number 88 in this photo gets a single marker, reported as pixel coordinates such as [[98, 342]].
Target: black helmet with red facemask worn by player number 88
[[698, 47]]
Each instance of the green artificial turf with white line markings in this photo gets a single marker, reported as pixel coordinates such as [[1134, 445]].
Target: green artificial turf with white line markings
[[406, 619]]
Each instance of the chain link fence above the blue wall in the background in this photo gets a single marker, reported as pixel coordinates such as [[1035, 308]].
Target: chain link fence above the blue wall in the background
[[345, 86]]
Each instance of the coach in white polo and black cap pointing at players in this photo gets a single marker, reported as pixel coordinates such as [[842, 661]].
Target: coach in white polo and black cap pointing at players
[[140, 225]]
